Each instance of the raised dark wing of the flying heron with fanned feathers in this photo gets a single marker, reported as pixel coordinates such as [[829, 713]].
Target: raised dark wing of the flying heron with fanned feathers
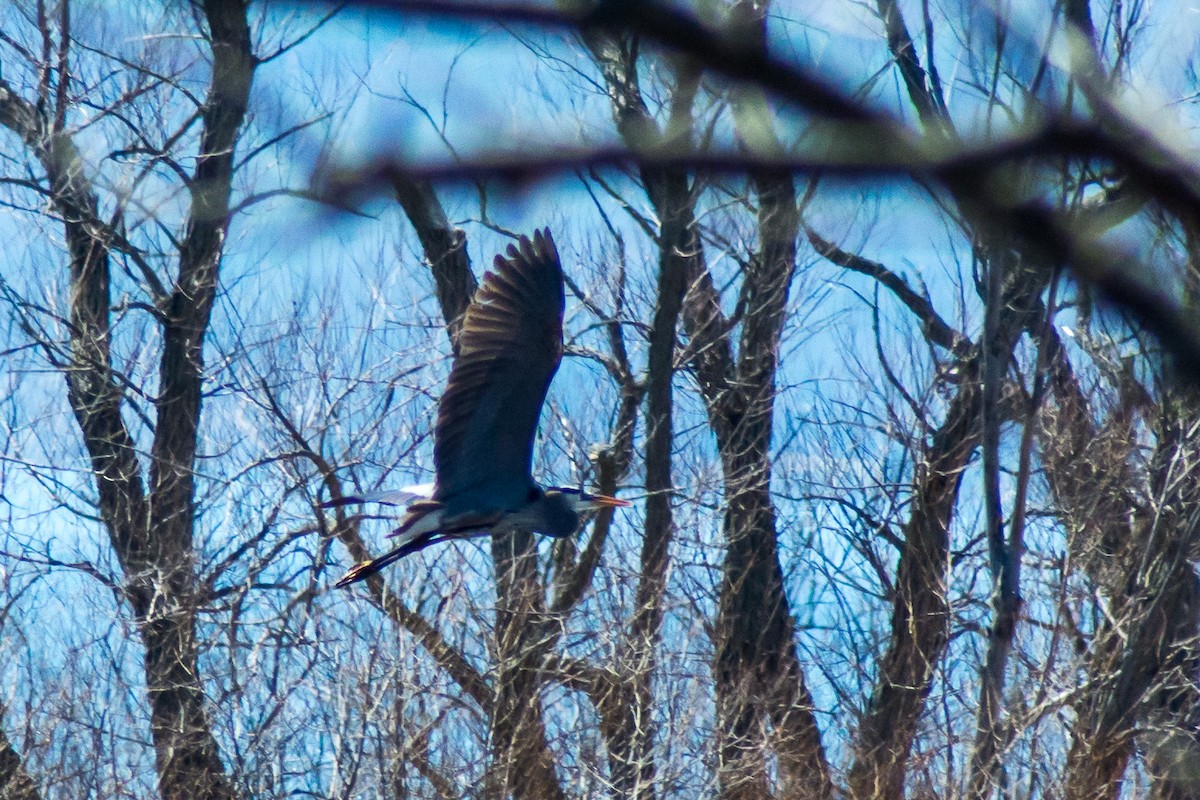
[[509, 348]]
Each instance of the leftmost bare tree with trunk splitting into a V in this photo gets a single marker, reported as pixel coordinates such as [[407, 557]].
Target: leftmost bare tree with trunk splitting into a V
[[147, 507]]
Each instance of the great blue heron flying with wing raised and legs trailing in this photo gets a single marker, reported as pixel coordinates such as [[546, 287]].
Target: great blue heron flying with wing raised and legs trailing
[[509, 350]]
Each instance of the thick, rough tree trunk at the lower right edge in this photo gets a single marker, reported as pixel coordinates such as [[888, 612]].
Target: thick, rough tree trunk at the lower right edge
[[1137, 551]]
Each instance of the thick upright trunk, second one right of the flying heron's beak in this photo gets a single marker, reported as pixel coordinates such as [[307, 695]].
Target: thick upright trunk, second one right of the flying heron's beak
[[759, 677]]
